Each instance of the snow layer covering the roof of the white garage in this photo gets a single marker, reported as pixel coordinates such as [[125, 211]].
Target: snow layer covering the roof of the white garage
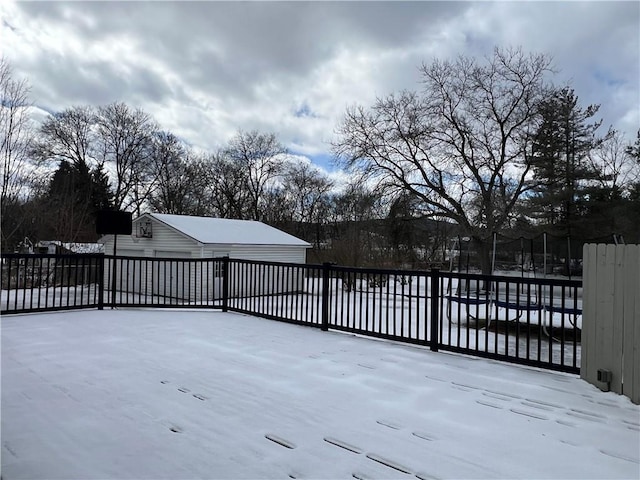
[[228, 231]]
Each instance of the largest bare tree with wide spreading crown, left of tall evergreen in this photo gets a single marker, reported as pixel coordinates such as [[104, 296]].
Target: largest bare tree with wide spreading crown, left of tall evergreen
[[462, 145]]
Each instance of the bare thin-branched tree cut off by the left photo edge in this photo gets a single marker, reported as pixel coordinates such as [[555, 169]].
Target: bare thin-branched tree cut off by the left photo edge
[[16, 137]]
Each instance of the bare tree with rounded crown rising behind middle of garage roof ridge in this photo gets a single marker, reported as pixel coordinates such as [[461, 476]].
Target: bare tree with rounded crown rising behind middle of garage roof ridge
[[260, 157]]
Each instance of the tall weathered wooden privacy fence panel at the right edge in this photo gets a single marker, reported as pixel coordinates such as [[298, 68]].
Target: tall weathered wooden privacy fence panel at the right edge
[[611, 318]]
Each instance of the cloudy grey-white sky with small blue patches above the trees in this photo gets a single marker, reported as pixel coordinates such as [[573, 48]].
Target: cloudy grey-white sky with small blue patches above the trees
[[204, 70]]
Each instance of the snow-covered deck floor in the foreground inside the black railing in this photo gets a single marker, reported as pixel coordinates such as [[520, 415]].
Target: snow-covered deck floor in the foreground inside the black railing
[[143, 394]]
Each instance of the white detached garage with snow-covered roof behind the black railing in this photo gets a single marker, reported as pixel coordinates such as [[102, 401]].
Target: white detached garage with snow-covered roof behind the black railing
[[169, 236]]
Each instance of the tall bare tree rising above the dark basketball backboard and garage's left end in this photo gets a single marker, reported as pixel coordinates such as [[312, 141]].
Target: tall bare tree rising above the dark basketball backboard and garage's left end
[[124, 142]]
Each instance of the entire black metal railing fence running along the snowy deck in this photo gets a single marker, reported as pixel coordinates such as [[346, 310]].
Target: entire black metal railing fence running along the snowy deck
[[523, 319]]
